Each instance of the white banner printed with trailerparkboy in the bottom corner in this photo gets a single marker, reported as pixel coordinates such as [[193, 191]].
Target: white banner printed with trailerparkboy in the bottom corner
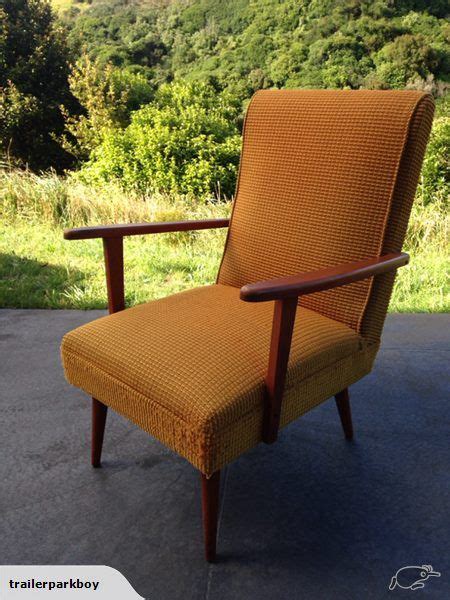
[[55, 582]]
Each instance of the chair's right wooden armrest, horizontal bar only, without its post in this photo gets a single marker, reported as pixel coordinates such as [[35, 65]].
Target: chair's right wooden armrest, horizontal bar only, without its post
[[325, 279]]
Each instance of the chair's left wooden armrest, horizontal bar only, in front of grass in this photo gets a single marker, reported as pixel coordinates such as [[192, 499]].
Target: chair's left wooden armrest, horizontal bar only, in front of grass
[[117, 231]]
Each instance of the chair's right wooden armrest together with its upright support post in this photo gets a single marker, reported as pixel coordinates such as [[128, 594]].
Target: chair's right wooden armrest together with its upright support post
[[286, 292]]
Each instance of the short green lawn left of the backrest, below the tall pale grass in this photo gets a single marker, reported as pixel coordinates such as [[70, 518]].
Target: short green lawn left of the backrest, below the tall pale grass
[[38, 269]]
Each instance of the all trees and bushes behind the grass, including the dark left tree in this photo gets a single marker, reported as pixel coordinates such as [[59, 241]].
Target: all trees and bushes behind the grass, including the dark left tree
[[157, 89]]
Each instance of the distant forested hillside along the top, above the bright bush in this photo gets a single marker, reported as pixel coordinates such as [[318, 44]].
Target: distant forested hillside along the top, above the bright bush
[[248, 44]]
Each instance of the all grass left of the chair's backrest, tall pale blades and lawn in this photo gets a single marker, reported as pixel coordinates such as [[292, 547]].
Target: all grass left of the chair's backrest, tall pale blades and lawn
[[38, 269]]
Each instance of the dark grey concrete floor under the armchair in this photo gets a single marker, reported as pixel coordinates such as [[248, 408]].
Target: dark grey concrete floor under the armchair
[[311, 517]]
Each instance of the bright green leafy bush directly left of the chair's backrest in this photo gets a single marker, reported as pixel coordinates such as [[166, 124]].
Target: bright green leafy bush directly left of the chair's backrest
[[186, 141]]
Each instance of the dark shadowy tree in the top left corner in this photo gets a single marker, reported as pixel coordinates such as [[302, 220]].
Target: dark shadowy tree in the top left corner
[[34, 73]]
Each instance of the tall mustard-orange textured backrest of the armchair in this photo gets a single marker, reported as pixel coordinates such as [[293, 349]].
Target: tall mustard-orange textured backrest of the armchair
[[327, 177]]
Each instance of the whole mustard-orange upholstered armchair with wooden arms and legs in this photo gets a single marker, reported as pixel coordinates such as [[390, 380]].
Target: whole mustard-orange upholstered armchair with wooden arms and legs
[[326, 184]]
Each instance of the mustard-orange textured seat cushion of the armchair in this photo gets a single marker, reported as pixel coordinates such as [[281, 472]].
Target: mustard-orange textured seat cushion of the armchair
[[189, 369]]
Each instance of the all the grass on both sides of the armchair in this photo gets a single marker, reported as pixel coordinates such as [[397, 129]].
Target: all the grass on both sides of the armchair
[[38, 269]]
